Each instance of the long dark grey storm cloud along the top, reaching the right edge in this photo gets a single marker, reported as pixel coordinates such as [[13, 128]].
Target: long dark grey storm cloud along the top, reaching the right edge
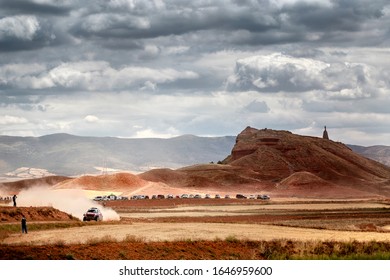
[[240, 22]]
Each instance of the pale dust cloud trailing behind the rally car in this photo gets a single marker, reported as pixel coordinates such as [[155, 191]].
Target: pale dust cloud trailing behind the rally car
[[71, 201]]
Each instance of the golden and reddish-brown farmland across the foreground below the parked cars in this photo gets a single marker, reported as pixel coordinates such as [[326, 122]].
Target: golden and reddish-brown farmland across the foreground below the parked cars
[[212, 229]]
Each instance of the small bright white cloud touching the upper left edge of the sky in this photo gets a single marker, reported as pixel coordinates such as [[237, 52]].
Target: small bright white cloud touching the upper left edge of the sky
[[20, 27]]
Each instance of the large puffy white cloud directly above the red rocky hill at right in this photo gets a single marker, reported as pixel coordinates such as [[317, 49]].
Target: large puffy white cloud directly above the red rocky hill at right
[[282, 73]]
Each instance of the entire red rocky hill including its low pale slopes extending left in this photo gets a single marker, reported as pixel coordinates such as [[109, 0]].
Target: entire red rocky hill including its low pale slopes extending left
[[284, 164]]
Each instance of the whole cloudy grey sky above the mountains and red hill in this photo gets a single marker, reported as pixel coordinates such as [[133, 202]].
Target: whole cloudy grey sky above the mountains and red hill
[[164, 68]]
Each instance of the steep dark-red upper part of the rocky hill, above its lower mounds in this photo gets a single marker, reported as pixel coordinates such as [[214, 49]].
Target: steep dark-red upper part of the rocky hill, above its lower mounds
[[276, 154]]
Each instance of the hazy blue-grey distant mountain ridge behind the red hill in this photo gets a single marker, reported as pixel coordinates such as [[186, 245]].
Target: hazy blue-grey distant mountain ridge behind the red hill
[[69, 155]]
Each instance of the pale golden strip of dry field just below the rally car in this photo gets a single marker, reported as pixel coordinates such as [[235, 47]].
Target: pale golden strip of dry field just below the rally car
[[187, 231]]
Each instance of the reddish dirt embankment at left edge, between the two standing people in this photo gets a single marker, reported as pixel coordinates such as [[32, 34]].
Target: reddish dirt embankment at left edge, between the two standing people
[[15, 214]]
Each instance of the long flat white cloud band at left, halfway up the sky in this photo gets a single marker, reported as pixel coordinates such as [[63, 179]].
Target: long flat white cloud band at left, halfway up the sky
[[88, 75]]
